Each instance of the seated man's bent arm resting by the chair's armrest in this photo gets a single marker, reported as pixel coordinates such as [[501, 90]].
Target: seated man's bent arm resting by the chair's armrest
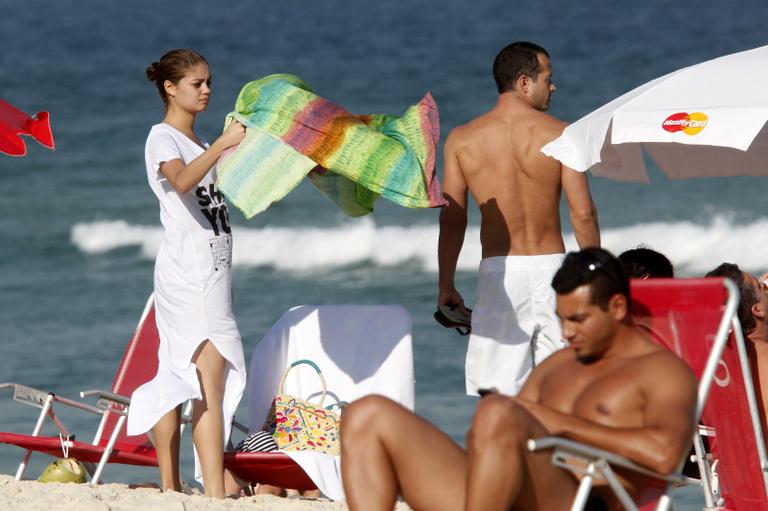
[[667, 416]]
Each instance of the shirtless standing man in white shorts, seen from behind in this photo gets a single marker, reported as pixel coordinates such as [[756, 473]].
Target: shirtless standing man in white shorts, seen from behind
[[497, 158]]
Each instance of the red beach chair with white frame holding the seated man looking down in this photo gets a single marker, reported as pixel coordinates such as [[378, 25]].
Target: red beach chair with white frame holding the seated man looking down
[[693, 318]]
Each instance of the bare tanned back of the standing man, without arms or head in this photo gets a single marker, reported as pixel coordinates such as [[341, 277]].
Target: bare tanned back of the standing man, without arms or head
[[515, 185]]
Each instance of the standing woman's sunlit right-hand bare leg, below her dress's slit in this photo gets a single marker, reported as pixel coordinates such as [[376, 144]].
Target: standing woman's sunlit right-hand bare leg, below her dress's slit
[[207, 418]]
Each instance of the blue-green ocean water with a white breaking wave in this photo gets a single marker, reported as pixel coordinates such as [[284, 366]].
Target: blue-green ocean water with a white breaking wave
[[80, 226]]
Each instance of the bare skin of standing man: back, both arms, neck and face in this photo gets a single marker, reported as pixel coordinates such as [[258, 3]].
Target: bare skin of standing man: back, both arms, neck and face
[[497, 158]]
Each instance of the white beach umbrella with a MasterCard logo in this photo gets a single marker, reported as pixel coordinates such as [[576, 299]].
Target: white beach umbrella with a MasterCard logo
[[708, 119]]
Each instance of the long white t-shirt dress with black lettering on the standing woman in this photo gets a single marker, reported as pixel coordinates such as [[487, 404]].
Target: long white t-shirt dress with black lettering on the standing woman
[[193, 297]]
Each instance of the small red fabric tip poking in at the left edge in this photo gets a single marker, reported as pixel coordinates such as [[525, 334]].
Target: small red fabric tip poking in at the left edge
[[14, 122]]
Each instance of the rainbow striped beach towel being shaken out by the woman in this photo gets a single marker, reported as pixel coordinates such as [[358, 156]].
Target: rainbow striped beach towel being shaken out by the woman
[[292, 133]]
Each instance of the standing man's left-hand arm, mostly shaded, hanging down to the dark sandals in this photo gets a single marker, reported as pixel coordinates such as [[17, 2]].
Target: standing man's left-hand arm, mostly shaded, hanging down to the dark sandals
[[453, 225]]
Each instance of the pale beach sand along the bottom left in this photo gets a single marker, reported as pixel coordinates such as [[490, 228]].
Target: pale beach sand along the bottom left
[[35, 496]]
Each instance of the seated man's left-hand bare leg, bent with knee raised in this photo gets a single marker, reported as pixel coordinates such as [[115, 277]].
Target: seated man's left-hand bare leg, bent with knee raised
[[386, 450]]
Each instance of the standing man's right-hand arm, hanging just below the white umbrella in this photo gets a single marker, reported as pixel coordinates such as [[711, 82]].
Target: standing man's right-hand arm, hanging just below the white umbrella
[[581, 206]]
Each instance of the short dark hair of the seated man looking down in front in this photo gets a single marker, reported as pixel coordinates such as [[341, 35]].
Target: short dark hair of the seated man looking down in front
[[595, 267]]
